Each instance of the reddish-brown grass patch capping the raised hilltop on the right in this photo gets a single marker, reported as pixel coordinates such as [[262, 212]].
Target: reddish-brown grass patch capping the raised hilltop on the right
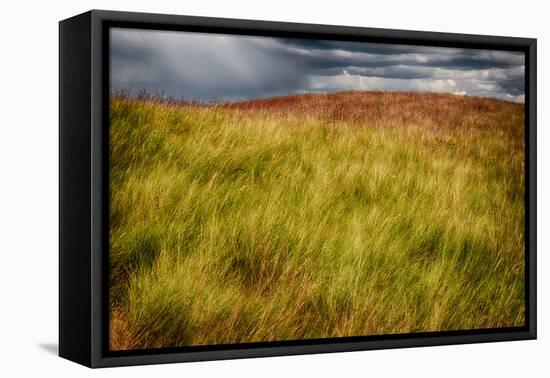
[[388, 108]]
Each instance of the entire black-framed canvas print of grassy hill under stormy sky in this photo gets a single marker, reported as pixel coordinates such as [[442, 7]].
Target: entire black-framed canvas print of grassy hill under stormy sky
[[234, 188]]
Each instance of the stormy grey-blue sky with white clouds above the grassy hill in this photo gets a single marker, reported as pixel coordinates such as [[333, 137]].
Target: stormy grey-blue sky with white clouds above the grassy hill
[[215, 67]]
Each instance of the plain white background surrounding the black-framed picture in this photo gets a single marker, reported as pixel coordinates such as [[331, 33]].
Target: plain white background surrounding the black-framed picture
[[29, 189]]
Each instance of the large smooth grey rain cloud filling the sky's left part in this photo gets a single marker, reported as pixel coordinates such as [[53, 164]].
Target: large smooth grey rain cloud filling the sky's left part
[[201, 66]]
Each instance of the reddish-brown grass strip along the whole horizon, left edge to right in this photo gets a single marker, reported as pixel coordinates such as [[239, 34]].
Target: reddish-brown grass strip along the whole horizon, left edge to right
[[434, 111]]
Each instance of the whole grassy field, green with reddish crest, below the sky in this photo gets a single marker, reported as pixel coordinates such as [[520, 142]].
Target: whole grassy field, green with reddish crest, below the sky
[[314, 216]]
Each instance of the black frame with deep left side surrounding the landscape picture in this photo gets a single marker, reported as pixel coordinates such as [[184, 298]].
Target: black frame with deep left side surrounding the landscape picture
[[83, 181]]
